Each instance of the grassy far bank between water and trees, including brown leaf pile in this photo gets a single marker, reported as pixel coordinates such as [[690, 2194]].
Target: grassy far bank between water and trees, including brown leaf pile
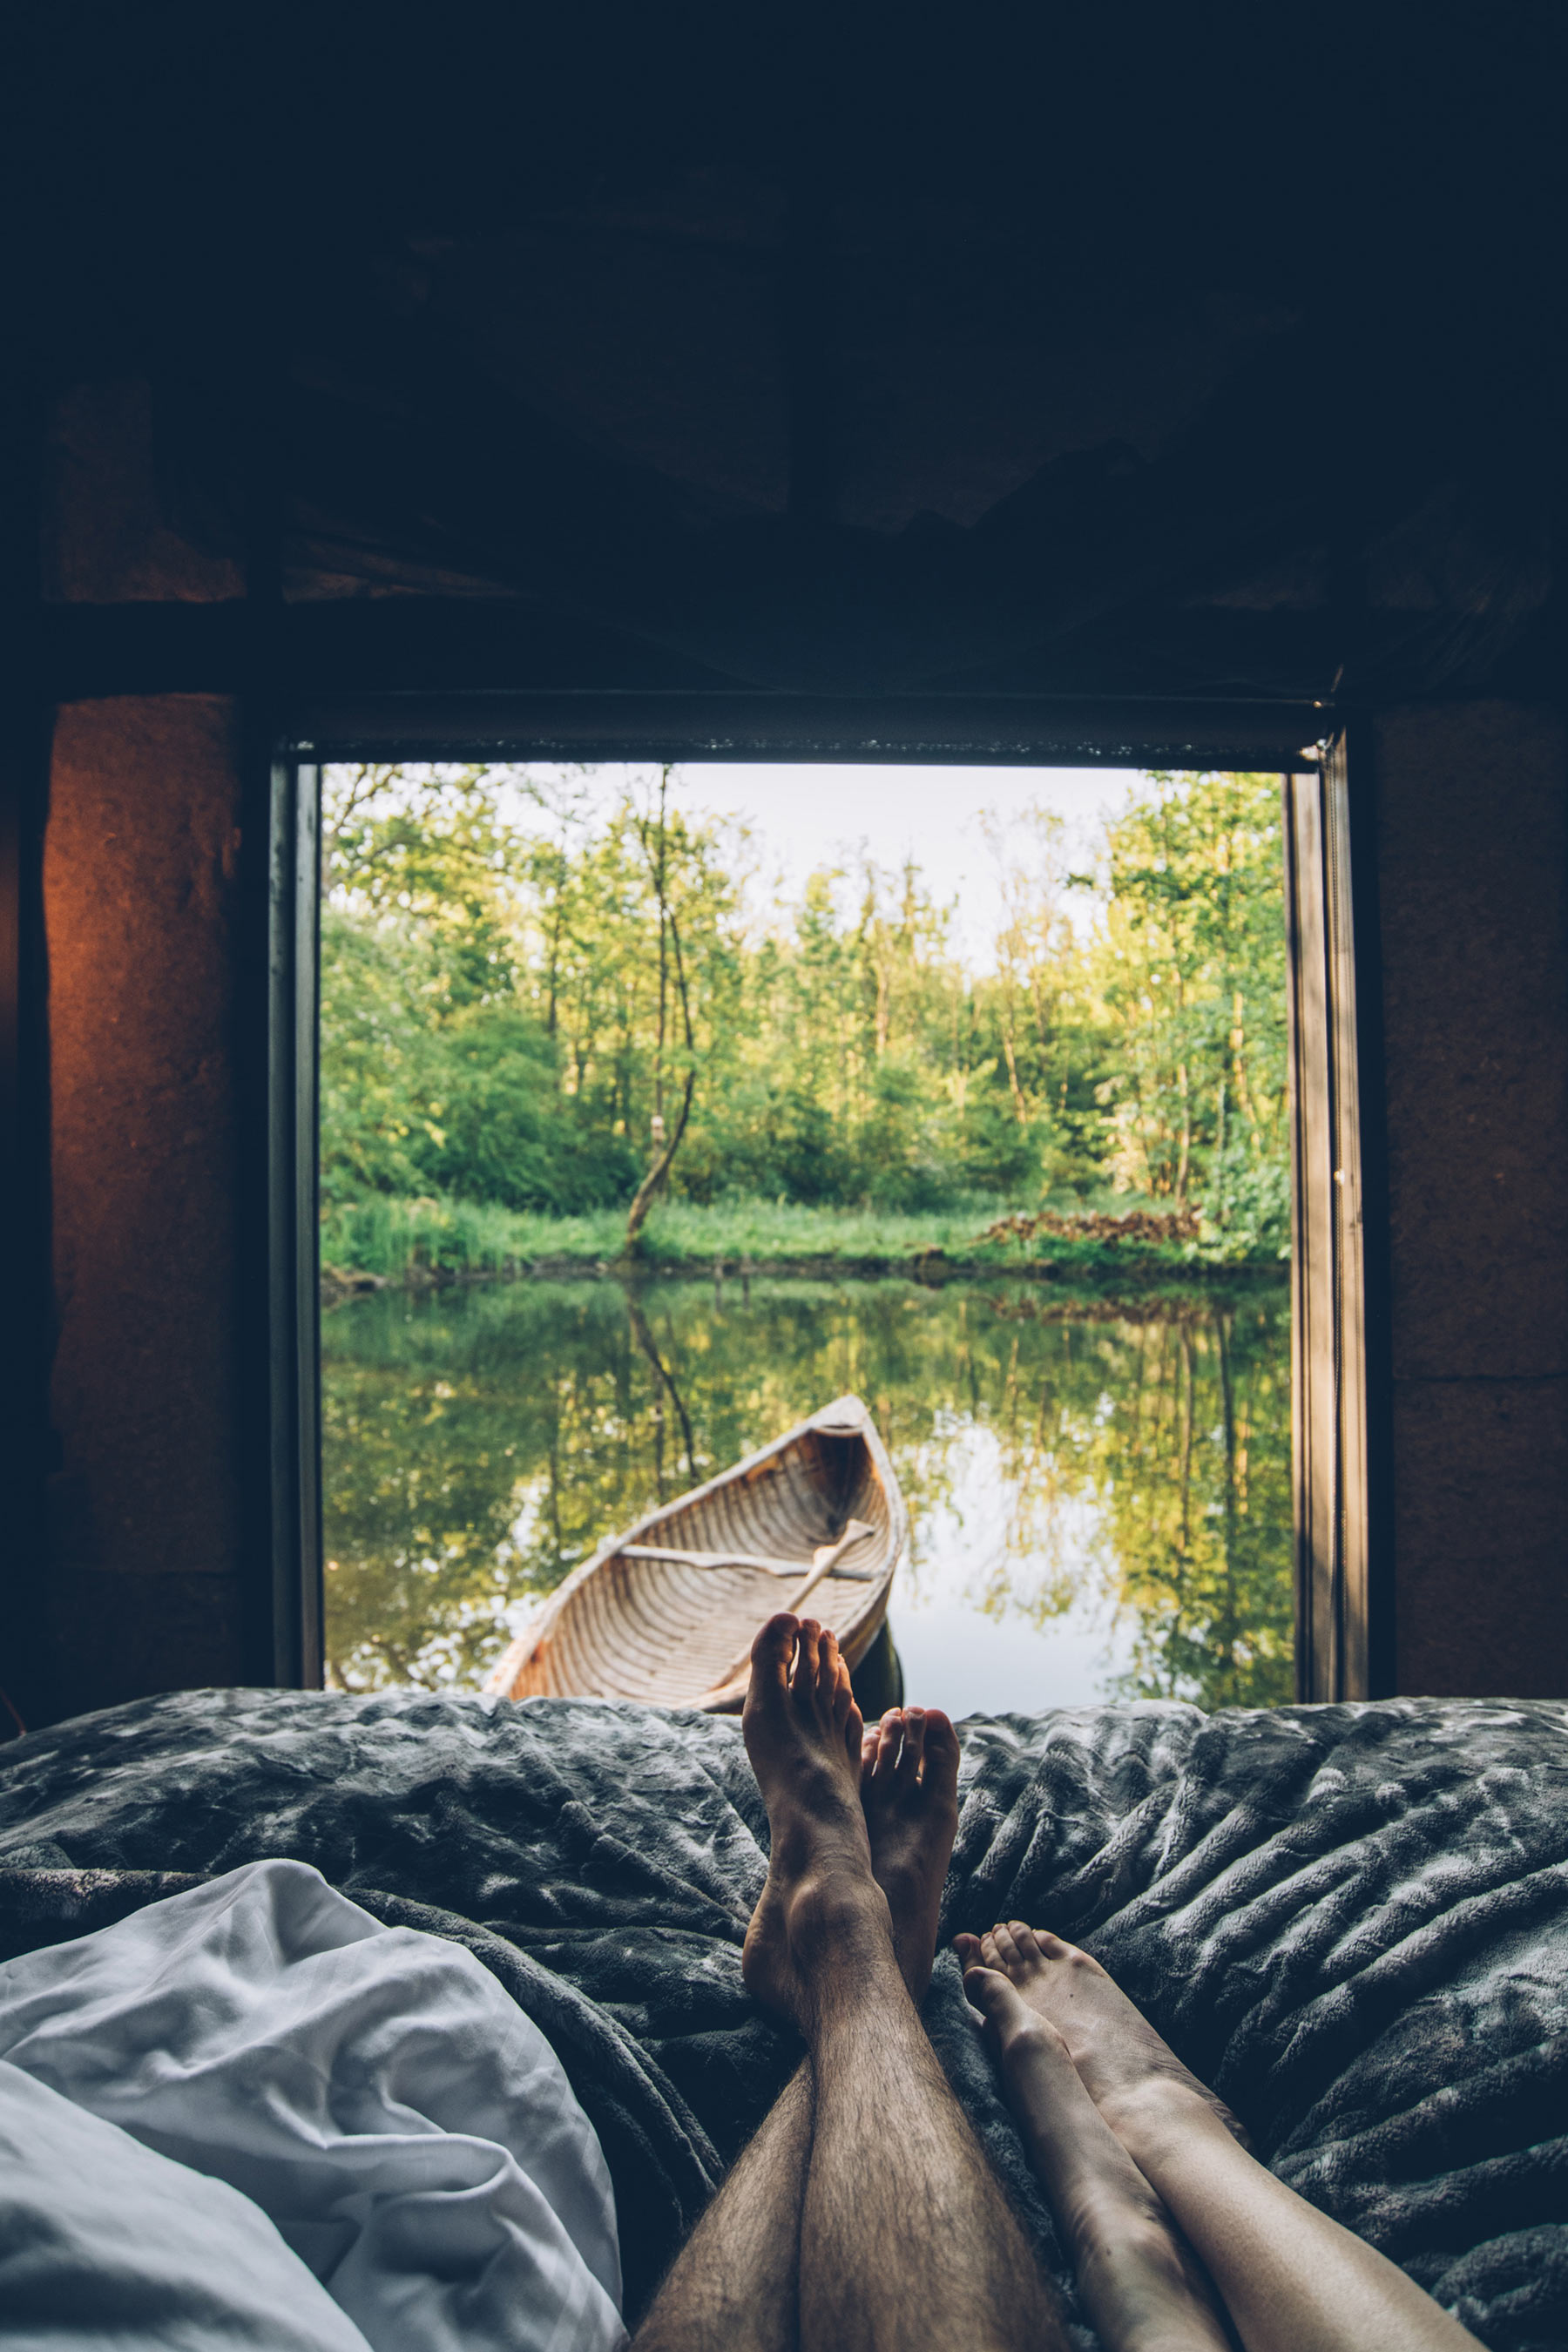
[[431, 1241]]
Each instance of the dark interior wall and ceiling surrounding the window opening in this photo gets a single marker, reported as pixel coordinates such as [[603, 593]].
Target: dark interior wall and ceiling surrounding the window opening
[[744, 359]]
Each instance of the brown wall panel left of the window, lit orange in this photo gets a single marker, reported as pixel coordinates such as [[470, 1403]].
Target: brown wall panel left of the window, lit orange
[[142, 904]]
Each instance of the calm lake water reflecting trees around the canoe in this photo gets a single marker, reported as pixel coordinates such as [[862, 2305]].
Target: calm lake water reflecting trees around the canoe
[[1099, 1497]]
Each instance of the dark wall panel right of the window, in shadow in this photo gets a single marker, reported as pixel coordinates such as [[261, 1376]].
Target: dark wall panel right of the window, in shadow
[[1473, 883]]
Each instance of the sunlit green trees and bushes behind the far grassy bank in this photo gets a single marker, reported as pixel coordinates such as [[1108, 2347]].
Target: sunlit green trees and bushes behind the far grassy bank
[[500, 1020]]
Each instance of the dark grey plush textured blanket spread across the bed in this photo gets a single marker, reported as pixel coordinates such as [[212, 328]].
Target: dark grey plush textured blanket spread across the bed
[[1351, 1920]]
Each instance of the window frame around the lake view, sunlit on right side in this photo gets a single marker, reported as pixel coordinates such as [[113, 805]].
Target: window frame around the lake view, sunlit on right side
[[1343, 1624]]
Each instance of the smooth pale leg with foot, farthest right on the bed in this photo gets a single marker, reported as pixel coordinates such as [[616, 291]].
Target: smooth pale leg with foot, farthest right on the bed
[[1292, 2278]]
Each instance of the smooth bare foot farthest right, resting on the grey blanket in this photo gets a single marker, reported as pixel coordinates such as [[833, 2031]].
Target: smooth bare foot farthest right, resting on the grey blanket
[[1108, 2040]]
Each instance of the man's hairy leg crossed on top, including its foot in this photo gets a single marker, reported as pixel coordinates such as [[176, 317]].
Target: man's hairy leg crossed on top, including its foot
[[904, 2233]]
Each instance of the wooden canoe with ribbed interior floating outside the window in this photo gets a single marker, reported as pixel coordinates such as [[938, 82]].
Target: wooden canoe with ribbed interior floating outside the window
[[676, 1631]]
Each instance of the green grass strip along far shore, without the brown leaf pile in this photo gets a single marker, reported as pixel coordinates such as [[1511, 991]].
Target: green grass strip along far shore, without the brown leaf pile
[[394, 1238]]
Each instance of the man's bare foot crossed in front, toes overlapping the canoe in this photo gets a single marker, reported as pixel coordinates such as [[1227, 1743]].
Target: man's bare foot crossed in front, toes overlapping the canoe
[[803, 1735]]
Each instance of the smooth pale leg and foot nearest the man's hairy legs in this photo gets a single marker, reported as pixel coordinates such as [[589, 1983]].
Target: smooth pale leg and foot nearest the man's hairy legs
[[1141, 2283]]
